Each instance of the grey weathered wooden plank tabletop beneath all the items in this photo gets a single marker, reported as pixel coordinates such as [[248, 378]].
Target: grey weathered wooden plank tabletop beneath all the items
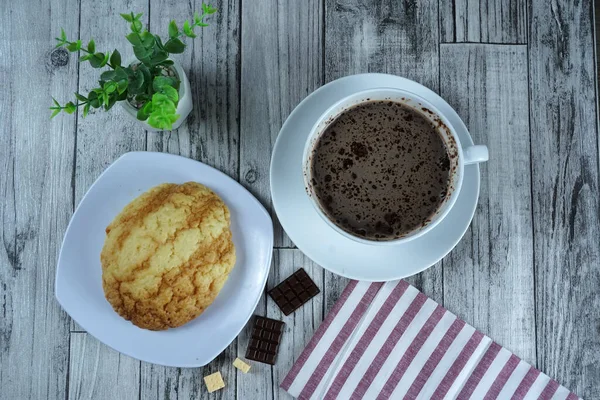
[[521, 74]]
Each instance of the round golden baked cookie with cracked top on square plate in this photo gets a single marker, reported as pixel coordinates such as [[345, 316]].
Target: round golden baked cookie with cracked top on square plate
[[167, 255]]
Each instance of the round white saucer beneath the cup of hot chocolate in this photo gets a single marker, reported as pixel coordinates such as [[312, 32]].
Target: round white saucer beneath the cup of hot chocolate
[[322, 243]]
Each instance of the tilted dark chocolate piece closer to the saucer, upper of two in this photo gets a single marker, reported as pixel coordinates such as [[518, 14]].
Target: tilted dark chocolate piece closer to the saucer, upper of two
[[294, 292]]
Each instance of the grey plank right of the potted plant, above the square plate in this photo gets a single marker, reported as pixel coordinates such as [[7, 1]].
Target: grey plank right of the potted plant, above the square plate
[[211, 61]]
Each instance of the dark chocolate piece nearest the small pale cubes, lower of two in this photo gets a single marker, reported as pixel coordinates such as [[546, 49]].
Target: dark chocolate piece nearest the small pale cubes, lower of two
[[264, 343]]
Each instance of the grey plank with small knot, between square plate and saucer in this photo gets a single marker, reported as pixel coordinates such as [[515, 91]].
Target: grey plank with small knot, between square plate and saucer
[[281, 64]]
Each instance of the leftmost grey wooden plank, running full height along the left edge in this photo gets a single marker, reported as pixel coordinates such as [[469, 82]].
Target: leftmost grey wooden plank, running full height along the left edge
[[36, 160]]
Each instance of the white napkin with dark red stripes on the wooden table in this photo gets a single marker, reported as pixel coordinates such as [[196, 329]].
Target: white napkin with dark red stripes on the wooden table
[[390, 341]]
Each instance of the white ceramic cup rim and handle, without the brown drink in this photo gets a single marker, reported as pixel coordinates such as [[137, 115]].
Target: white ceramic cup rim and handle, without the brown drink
[[459, 156]]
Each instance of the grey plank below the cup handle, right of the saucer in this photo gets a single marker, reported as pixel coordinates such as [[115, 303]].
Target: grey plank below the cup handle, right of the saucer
[[488, 277]]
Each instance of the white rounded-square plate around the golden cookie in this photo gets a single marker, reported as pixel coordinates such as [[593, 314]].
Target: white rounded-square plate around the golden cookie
[[79, 274]]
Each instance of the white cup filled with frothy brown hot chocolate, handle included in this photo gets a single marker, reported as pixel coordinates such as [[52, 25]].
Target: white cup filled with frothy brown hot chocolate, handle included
[[384, 166]]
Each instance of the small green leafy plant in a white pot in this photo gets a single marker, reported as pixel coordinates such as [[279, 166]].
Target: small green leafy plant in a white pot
[[153, 88]]
